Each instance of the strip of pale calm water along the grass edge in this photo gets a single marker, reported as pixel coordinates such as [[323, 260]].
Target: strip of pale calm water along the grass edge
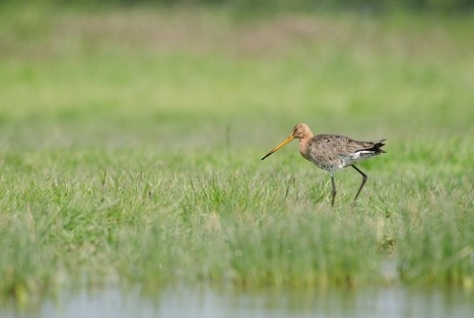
[[208, 302]]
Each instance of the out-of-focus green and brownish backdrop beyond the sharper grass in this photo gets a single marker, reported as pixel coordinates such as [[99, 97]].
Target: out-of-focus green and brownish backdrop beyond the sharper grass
[[364, 67]]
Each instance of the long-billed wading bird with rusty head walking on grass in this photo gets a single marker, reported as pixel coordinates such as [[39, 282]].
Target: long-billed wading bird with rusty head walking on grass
[[332, 152]]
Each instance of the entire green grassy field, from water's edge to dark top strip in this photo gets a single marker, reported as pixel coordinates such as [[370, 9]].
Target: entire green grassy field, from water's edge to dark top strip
[[130, 145]]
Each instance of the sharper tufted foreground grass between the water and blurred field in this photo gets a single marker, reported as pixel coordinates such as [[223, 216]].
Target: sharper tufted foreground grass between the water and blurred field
[[154, 220]]
